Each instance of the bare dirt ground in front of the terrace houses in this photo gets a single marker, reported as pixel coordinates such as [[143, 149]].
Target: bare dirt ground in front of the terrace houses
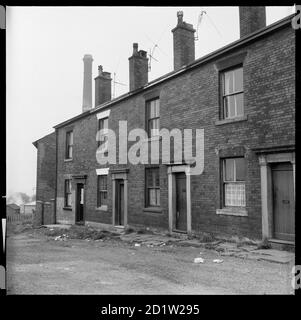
[[37, 264]]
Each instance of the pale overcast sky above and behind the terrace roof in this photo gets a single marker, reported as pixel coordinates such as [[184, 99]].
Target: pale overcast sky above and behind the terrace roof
[[45, 47]]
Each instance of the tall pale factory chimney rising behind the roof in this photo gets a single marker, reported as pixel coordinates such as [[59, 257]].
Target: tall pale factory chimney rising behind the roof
[[87, 87]]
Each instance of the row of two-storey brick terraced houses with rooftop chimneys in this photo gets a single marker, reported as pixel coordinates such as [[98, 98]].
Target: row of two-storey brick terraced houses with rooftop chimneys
[[242, 96]]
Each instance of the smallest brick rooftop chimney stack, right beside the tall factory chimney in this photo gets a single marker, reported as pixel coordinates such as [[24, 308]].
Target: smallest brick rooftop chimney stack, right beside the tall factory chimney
[[103, 91]]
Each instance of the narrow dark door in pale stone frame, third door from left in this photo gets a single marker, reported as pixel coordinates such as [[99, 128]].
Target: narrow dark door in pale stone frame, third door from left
[[181, 208]]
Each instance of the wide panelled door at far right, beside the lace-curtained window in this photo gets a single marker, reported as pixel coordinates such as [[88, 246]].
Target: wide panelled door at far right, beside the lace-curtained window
[[283, 201]]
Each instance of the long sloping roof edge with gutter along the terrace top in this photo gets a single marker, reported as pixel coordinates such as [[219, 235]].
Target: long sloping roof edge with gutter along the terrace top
[[219, 52]]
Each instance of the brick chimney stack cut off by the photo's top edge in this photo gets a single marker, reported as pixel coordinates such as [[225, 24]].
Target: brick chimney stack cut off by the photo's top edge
[[251, 19]]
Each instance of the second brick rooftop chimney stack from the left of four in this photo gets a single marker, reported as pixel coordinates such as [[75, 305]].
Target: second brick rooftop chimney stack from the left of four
[[138, 64]]
